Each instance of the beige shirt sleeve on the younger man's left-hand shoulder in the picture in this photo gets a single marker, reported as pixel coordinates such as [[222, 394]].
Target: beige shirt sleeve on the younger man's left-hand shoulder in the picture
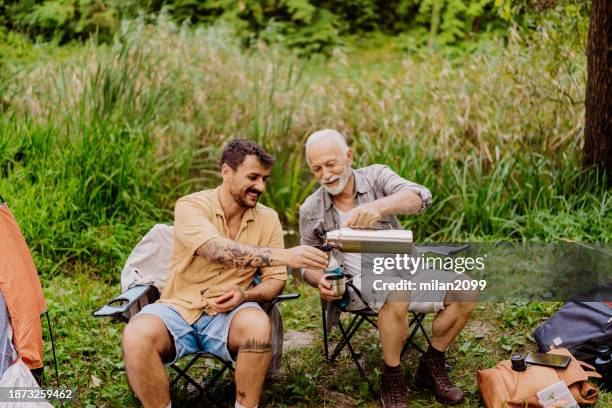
[[191, 225]]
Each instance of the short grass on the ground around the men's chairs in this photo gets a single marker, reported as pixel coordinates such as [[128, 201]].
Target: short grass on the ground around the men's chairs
[[90, 356]]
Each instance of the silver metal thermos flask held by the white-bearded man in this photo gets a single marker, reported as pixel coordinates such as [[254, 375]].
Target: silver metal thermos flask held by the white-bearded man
[[371, 241]]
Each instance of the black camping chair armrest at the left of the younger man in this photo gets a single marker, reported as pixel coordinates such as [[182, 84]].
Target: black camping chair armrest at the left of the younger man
[[130, 302]]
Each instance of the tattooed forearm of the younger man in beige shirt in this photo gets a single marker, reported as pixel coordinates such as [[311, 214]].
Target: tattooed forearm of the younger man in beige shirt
[[229, 252]]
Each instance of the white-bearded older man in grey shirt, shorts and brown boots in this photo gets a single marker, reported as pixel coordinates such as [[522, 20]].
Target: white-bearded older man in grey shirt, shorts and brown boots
[[371, 197]]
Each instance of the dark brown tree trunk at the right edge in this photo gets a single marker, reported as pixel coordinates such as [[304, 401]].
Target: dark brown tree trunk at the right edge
[[598, 130]]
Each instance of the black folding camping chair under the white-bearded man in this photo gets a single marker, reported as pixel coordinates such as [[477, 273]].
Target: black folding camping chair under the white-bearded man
[[368, 315]]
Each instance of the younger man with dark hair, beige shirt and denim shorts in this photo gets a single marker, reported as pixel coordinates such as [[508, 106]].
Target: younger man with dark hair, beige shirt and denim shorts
[[222, 238]]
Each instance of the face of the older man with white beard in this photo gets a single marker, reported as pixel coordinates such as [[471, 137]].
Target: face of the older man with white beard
[[329, 165]]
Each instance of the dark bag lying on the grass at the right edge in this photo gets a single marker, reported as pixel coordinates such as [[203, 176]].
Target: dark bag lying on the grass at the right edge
[[581, 325]]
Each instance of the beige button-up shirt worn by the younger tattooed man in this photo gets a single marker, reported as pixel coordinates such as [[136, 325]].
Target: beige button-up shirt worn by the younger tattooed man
[[194, 281]]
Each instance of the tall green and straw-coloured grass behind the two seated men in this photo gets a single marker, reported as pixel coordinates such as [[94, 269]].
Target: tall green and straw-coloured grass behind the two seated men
[[98, 142]]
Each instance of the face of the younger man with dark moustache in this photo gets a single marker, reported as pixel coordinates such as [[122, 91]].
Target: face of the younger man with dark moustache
[[247, 182]]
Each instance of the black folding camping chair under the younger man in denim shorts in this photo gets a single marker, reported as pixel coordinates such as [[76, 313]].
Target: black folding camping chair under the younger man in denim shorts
[[129, 303]]
